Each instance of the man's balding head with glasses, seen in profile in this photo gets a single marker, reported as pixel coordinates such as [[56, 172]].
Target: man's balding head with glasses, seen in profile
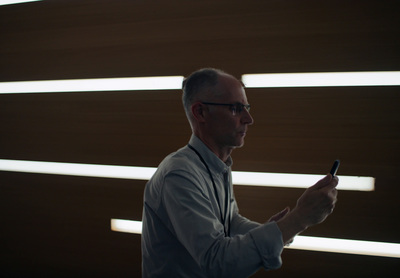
[[217, 108]]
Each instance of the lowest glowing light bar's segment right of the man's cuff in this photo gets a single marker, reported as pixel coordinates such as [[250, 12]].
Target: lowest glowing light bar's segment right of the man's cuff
[[346, 246]]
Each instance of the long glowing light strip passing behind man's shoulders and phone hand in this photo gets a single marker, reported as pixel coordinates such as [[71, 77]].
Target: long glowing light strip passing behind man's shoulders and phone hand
[[145, 173]]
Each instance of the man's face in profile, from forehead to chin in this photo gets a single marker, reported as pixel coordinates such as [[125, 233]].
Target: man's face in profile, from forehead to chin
[[228, 129]]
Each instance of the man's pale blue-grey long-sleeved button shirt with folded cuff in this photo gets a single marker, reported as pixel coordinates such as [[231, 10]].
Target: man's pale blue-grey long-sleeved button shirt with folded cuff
[[183, 234]]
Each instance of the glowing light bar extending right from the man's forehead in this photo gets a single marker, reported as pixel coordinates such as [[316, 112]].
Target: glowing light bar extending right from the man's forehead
[[322, 79]]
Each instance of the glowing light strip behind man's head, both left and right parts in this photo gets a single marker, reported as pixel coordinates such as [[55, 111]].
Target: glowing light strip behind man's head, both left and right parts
[[318, 79]]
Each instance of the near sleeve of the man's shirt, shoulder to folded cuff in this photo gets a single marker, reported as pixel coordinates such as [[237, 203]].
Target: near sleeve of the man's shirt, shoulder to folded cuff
[[190, 217]]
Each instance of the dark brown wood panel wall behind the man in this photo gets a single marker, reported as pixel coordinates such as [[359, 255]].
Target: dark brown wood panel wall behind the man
[[59, 226]]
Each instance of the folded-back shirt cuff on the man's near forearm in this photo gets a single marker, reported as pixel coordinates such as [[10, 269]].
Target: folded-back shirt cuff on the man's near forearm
[[269, 242]]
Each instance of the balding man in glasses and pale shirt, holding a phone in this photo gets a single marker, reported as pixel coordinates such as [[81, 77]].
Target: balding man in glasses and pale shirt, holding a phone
[[191, 224]]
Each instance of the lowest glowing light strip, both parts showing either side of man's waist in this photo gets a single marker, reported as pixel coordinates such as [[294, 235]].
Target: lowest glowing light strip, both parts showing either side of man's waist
[[321, 244]]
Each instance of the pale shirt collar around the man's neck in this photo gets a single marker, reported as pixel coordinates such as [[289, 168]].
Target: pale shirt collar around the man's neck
[[214, 162]]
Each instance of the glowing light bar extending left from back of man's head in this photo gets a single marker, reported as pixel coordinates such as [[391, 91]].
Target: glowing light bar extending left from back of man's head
[[90, 85]]
